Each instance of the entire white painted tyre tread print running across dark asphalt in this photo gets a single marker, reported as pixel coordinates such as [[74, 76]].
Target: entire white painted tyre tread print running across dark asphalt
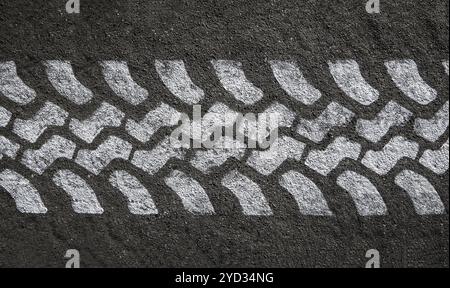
[[300, 149]]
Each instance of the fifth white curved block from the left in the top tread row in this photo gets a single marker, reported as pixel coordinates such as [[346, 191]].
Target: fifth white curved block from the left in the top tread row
[[233, 79]]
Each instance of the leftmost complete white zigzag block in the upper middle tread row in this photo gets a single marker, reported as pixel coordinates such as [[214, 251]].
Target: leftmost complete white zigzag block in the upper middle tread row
[[32, 129]]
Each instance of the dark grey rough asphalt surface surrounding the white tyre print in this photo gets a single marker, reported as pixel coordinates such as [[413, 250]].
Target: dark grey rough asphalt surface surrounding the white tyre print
[[253, 32]]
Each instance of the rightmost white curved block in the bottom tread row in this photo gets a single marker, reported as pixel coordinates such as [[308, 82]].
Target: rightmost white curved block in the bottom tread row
[[425, 199]]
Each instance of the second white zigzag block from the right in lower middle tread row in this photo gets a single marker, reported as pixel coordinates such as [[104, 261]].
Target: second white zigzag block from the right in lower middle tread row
[[381, 162]]
